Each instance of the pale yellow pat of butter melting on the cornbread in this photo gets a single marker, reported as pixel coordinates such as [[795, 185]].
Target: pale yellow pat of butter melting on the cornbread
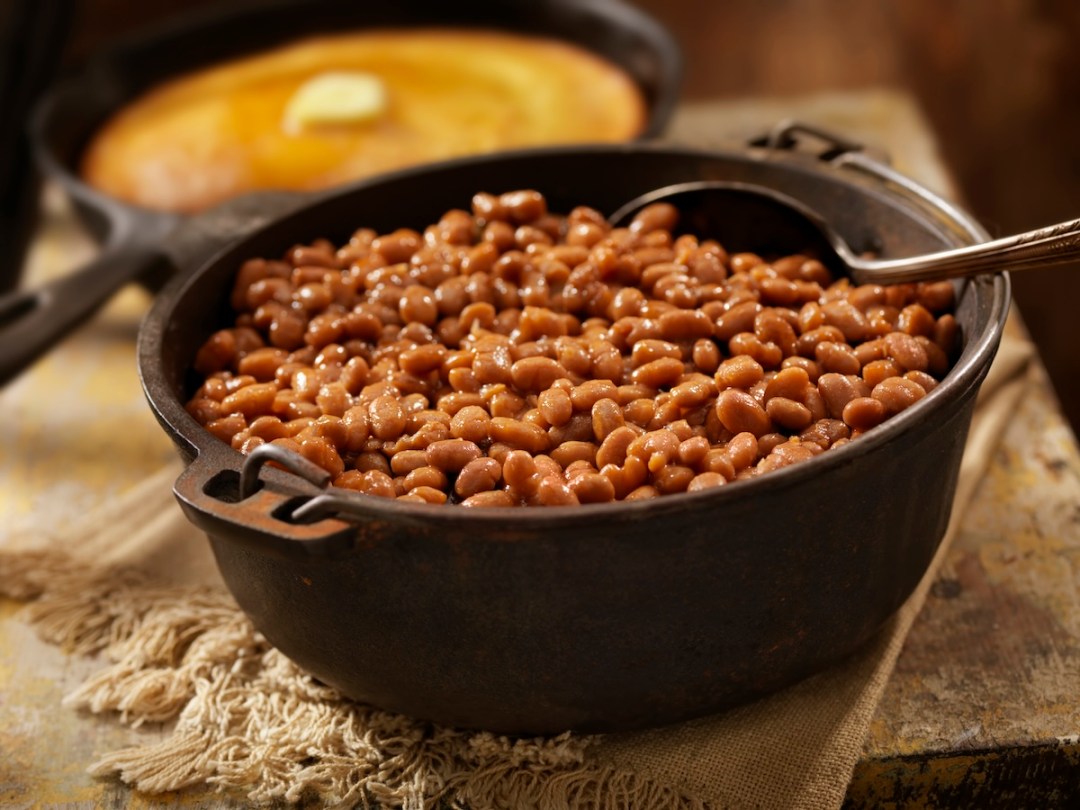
[[335, 99]]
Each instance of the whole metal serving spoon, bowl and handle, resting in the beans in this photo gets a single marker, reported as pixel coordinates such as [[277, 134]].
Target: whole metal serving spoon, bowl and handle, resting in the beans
[[755, 219]]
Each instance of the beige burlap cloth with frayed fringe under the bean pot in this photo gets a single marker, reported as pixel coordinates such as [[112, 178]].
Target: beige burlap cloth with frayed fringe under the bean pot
[[141, 591]]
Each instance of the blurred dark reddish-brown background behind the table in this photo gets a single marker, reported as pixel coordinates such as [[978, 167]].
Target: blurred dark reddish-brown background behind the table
[[1000, 82]]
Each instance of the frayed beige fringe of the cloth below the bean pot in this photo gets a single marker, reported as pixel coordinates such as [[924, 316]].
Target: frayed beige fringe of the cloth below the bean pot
[[247, 720]]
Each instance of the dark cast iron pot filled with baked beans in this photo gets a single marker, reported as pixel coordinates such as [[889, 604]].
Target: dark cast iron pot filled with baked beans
[[597, 617]]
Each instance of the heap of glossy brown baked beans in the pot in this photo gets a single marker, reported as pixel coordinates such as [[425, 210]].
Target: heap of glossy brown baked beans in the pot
[[511, 357]]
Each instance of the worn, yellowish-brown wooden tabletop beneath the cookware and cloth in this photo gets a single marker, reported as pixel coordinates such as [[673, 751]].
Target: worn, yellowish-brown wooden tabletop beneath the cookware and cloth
[[982, 711]]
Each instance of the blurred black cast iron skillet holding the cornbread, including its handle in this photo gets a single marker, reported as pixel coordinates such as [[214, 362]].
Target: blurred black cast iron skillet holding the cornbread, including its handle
[[147, 246]]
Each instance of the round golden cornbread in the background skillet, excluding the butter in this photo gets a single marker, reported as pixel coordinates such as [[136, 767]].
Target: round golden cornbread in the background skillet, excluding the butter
[[207, 137]]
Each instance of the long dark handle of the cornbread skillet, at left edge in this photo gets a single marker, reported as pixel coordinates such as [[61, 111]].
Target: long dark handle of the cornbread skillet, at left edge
[[33, 321]]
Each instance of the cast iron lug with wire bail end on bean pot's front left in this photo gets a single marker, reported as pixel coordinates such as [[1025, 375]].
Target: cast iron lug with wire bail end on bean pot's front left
[[256, 507]]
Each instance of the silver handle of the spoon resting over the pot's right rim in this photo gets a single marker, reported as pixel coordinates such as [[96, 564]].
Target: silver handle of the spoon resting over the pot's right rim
[[1050, 246]]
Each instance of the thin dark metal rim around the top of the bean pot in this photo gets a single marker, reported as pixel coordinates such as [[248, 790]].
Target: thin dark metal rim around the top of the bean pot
[[967, 374]]
